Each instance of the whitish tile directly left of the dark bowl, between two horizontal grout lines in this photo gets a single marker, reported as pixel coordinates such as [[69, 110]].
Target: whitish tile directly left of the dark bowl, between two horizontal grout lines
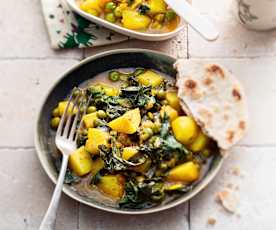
[[24, 83]]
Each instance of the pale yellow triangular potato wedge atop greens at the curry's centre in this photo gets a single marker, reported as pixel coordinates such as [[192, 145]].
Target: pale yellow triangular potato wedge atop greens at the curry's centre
[[127, 123]]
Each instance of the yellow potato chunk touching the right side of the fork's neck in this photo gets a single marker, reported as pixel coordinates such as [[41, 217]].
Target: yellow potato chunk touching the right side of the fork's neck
[[80, 161]]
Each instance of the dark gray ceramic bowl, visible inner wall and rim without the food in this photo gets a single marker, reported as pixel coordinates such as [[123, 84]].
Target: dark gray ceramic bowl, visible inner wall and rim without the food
[[44, 140]]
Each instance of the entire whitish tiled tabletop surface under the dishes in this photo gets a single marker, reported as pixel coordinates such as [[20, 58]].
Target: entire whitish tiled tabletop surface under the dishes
[[28, 69]]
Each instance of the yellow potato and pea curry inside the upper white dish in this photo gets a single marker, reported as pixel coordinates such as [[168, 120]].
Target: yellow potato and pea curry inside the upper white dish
[[153, 16]]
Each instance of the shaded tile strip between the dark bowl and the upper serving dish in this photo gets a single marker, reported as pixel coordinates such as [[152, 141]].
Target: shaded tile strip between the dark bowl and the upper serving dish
[[176, 47]]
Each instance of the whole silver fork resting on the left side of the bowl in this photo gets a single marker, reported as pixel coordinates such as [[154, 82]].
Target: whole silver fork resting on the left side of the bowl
[[66, 137]]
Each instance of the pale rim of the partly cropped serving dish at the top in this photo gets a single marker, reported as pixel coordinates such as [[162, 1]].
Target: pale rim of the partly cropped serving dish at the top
[[128, 32]]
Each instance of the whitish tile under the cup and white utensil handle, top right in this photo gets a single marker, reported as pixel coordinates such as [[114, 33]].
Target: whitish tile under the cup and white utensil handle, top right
[[234, 40]]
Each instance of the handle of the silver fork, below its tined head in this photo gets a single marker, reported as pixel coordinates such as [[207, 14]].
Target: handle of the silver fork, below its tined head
[[49, 220]]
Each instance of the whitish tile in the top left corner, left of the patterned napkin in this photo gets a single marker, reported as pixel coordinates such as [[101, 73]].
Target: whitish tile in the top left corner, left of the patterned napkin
[[24, 34]]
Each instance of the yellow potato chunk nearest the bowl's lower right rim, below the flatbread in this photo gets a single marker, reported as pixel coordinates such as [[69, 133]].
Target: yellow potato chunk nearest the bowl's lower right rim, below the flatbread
[[187, 172]]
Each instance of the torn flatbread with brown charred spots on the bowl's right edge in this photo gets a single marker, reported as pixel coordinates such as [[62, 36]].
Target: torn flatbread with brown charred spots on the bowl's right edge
[[214, 98]]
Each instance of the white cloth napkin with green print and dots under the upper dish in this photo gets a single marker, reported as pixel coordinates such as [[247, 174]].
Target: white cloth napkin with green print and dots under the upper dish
[[69, 30]]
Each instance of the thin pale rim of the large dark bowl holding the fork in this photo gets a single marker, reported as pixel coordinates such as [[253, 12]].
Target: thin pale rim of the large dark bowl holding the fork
[[67, 190]]
